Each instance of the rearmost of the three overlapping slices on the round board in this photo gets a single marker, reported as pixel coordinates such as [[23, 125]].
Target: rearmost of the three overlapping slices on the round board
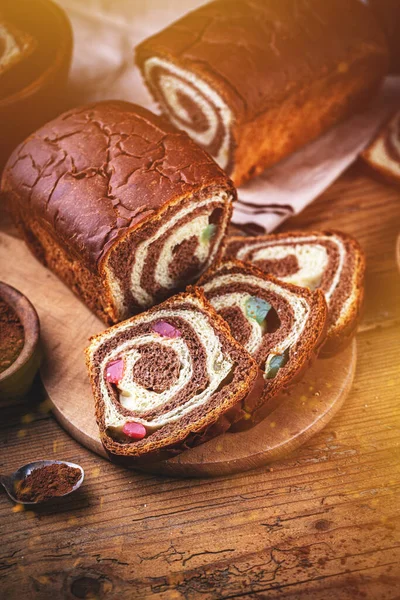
[[329, 260]]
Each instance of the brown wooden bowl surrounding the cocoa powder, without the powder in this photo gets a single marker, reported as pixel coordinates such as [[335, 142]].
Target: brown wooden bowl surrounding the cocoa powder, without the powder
[[16, 381]]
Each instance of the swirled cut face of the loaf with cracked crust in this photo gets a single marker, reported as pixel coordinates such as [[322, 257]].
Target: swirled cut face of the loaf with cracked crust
[[169, 253]]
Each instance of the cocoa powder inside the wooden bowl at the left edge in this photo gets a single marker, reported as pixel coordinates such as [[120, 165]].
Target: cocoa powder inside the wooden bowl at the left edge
[[12, 336]]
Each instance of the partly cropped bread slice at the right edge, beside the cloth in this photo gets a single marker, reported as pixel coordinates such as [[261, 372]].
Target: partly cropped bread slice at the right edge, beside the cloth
[[383, 154]]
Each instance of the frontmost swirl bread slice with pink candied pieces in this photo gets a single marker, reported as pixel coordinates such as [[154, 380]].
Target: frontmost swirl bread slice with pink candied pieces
[[183, 380]]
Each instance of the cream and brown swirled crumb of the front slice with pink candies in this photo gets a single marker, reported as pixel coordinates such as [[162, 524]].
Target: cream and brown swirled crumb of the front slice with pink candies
[[154, 397]]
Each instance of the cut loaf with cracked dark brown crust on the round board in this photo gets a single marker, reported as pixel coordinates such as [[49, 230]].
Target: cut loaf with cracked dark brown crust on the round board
[[121, 205]]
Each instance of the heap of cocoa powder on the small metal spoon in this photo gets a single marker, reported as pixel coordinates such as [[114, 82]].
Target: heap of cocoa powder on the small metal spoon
[[47, 482]]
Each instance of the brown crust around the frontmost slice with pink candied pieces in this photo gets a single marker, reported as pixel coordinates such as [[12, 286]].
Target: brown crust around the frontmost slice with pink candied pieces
[[211, 424]]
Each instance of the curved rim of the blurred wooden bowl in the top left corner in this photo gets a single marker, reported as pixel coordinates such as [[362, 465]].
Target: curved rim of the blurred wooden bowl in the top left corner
[[63, 49]]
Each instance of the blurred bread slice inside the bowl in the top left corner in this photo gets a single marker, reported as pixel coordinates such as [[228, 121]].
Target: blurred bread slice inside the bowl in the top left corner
[[15, 46]]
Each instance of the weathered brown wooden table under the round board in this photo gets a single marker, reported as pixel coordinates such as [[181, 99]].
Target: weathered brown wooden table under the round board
[[322, 524]]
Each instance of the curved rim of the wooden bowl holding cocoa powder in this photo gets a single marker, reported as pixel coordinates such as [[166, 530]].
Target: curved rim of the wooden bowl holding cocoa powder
[[30, 321]]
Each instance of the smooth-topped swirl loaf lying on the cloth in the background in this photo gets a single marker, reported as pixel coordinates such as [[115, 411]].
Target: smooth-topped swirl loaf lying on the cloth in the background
[[253, 80]]
